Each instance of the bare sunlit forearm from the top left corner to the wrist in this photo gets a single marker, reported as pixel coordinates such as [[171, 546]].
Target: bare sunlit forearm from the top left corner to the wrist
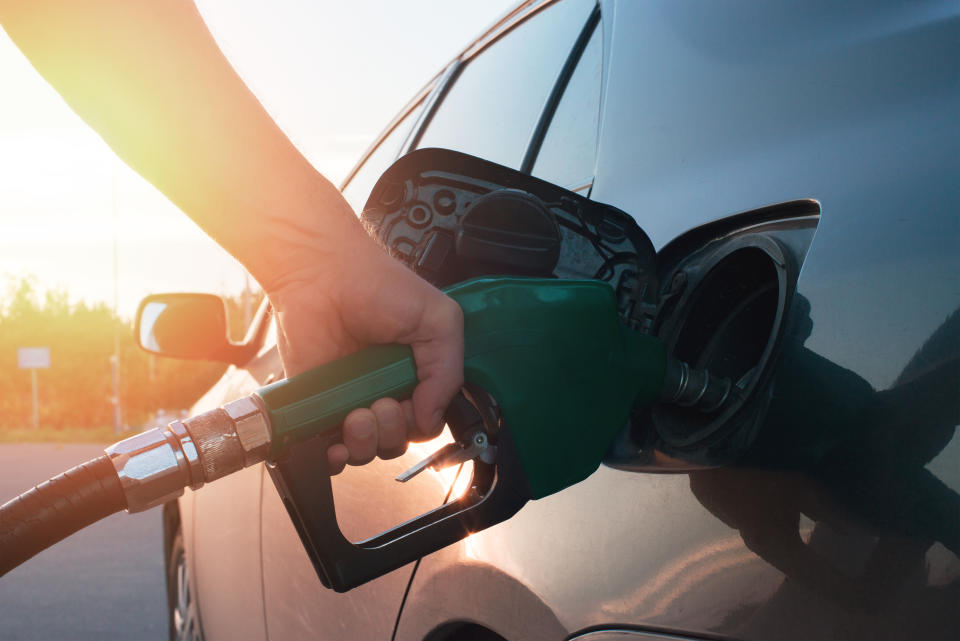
[[148, 76]]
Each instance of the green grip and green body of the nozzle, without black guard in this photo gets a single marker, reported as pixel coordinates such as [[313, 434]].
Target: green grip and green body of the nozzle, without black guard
[[552, 355]]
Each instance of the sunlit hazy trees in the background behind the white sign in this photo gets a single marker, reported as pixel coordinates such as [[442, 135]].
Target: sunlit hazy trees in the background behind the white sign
[[75, 391]]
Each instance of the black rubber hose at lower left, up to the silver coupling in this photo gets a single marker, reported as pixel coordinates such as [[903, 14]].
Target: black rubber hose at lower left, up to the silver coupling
[[57, 508]]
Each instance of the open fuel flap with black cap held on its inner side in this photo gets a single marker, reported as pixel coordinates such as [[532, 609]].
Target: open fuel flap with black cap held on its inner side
[[450, 217]]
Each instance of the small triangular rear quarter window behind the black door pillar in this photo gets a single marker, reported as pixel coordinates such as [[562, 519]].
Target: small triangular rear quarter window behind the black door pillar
[[568, 152]]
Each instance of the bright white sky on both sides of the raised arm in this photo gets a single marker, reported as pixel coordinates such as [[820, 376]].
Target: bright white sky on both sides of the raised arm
[[331, 74]]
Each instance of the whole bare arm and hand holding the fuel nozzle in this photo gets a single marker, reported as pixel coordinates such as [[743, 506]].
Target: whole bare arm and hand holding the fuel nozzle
[[149, 78]]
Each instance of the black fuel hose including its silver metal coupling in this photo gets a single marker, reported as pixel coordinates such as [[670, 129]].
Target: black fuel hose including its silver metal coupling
[[135, 474]]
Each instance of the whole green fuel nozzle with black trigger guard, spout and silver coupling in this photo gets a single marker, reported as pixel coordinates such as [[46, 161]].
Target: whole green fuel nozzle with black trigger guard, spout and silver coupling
[[551, 377]]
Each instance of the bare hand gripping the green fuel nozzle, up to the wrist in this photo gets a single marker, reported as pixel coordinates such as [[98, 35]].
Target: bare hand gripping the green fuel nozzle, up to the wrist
[[356, 295]]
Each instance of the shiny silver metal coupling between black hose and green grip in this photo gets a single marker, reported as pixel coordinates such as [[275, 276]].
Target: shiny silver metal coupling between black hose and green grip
[[154, 466]]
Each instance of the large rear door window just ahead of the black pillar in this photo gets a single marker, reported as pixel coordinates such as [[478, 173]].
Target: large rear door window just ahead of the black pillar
[[495, 102]]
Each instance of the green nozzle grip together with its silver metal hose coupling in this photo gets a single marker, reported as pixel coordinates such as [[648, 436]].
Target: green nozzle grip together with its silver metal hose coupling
[[155, 466]]
